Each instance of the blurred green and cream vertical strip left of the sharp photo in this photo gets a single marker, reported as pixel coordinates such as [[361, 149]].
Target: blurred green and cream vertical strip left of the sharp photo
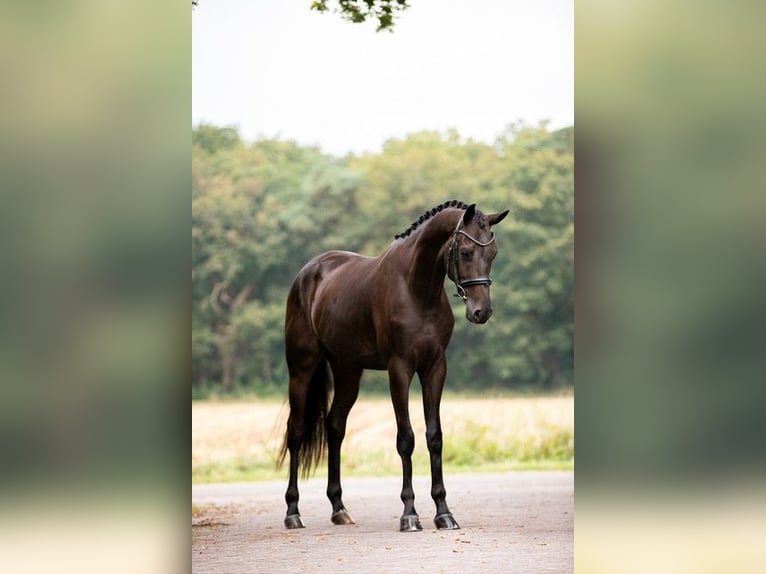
[[94, 218]]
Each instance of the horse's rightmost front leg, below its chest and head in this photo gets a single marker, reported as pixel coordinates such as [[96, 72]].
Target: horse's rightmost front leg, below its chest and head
[[432, 382]]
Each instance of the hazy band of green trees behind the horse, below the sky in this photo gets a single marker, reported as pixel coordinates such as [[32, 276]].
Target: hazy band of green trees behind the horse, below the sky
[[261, 210]]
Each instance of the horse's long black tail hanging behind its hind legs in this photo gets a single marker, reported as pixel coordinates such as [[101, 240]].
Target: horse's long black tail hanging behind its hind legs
[[313, 440]]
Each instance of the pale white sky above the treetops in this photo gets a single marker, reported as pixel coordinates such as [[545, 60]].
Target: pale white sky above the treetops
[[274, 68]]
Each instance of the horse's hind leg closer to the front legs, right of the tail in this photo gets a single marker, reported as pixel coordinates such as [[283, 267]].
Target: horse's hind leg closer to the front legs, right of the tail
[[346, 391]]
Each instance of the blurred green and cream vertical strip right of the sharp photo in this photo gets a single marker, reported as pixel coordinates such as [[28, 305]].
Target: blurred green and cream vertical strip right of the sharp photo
[[671, 448]]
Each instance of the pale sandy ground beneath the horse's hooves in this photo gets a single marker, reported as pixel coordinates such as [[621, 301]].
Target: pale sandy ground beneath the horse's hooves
[[511, 522]]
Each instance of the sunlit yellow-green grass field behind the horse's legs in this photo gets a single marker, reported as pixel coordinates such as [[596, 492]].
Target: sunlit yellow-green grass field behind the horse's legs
[[239, 440]]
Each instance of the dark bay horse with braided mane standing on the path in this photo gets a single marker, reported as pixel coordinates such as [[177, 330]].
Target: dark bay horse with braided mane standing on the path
[[347, 312]]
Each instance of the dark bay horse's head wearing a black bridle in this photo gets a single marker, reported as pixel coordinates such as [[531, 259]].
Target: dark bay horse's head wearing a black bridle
[[469, 258]]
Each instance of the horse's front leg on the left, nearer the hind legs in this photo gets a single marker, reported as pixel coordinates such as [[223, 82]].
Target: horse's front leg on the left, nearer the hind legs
[[400, 376]]
